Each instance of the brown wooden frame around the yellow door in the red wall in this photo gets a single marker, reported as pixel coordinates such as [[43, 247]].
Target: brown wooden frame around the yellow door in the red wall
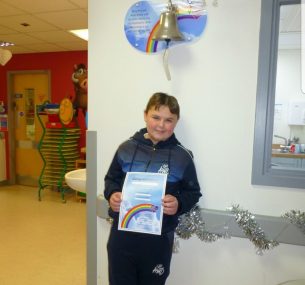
[[11, 117]]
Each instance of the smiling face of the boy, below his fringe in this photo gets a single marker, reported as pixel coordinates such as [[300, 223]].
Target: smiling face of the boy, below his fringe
[[160, 123]]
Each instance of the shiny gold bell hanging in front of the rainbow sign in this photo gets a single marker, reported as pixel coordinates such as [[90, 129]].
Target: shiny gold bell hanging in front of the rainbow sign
[[168, 28]]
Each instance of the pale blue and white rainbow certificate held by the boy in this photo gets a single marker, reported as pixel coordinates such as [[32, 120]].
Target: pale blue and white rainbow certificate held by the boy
[[141, 207]]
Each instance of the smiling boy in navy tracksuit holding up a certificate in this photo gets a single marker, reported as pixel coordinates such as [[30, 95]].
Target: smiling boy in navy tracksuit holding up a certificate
[[139, 258]]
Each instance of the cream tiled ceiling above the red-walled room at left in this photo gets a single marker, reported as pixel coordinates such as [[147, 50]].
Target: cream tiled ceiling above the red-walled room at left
[[49, 24]]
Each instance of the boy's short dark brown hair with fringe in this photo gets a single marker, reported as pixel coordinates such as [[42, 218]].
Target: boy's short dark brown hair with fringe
[[159, 99]]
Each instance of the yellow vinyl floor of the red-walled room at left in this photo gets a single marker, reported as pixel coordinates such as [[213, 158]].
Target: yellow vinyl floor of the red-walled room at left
[[41, 242]]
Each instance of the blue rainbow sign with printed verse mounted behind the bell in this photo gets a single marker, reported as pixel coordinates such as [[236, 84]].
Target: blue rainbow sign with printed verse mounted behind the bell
[[142, 21]]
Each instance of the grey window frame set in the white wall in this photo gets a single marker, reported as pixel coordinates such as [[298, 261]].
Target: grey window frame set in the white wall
[[262, 172]]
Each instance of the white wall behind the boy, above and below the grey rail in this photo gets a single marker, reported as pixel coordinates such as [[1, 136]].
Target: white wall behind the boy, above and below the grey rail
[[214, 80]]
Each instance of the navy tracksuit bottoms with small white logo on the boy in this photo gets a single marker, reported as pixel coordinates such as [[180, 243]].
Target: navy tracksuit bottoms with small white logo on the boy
[[137, 258]]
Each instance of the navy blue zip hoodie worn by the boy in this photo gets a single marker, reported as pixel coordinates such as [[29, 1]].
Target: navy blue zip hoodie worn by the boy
[[139, 154]]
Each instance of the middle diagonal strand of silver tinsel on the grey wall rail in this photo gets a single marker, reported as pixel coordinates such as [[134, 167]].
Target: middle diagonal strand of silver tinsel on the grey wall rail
[[252, 230]]
